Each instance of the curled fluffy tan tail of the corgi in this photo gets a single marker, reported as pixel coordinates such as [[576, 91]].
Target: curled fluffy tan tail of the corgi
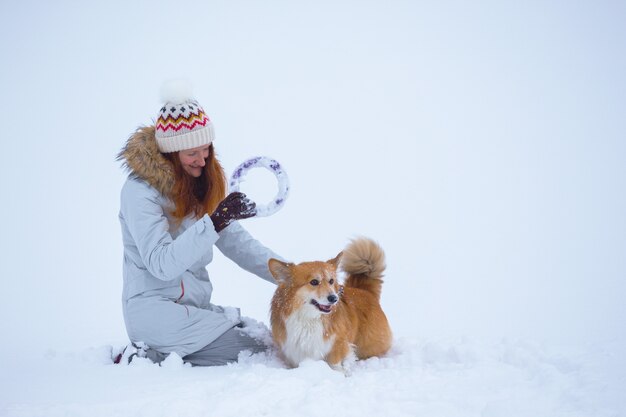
[[363, 260]]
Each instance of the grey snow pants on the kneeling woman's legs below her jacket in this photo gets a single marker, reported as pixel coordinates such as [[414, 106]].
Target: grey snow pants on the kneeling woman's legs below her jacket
[[223, 350]]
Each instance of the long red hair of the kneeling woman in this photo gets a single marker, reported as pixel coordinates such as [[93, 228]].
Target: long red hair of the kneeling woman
[[197, 195]]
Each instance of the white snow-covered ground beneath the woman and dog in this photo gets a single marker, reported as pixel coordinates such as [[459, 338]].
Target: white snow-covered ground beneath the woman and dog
[[417, 378]]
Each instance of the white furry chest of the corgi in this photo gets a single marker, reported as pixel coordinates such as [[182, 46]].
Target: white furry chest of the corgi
[[305, 339]]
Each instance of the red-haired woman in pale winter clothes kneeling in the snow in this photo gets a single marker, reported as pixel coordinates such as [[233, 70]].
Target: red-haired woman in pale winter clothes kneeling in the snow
[[174, 209]]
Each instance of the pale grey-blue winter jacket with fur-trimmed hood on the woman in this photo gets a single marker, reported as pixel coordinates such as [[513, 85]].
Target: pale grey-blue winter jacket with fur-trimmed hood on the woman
[[167, 290]]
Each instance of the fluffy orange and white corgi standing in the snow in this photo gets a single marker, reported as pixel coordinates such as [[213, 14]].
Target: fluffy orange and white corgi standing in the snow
[[314, 317]]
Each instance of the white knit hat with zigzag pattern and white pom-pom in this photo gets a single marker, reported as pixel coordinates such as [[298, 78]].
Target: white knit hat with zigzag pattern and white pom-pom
[[181, 123]]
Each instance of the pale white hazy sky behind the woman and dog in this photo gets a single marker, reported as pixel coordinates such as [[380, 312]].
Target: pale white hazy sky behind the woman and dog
[[482, 144]]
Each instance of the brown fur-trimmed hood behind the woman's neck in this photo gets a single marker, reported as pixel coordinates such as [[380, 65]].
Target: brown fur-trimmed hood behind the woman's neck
[[141, 156]]
